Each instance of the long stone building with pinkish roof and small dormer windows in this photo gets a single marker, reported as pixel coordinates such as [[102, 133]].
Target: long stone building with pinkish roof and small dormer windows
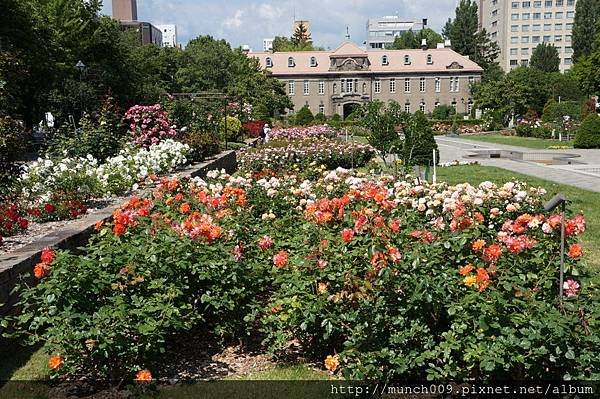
[[335, 82]]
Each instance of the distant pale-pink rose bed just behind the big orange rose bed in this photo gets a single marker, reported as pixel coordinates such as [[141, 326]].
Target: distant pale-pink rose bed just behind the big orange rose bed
[[285, 154]]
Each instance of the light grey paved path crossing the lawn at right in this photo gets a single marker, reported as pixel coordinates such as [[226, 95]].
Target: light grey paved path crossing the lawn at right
[[585, 176]]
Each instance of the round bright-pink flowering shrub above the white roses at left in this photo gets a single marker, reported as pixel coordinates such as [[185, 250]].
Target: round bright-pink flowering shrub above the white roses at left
[[148, 124]]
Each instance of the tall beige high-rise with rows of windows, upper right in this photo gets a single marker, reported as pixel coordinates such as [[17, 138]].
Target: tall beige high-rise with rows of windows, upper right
[[519, 26]]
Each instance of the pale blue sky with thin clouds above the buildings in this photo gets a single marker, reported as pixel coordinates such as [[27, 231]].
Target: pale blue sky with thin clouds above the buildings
[[249, 22]]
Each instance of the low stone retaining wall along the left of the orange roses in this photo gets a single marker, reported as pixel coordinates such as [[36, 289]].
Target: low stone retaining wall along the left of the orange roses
[[14, 265]]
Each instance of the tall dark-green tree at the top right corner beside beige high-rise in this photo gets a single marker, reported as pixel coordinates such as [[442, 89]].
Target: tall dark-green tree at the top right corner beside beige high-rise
[[585, 27]]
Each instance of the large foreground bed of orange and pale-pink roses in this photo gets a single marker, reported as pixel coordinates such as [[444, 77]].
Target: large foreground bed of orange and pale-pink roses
[[378, 278]]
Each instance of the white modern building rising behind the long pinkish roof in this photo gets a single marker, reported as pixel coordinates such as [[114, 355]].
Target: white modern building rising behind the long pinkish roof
[[381, 32]]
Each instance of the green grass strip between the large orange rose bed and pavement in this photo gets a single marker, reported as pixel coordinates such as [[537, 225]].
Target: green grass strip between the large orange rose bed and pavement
[[581, 200]]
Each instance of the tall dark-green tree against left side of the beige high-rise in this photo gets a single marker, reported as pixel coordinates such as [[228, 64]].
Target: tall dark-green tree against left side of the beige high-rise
[[466, 37]]
